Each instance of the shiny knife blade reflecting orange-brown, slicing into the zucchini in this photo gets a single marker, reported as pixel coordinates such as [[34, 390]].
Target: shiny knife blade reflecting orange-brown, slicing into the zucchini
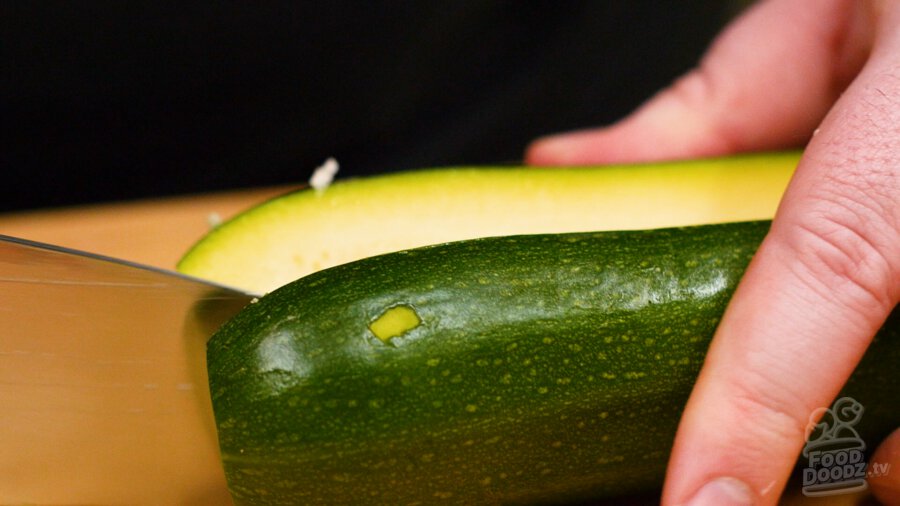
[[103, 385]]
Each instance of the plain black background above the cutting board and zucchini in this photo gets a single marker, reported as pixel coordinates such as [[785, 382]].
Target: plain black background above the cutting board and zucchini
[[107, 101]]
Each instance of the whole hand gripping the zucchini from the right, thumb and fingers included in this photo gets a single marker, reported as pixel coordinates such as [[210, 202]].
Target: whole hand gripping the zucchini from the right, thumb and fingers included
[[828, 274]]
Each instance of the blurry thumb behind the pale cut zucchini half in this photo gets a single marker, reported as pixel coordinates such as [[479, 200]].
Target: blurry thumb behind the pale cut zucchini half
[[765, 83]]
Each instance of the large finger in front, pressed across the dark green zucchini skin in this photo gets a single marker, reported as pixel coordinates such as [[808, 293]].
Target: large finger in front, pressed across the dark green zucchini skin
[[821, 284]]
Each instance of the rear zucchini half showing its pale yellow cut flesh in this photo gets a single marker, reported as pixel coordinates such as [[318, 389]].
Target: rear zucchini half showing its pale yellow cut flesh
[[305, 231]]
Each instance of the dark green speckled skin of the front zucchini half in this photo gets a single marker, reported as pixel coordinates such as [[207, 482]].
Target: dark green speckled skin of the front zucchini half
[[544, 368]]
